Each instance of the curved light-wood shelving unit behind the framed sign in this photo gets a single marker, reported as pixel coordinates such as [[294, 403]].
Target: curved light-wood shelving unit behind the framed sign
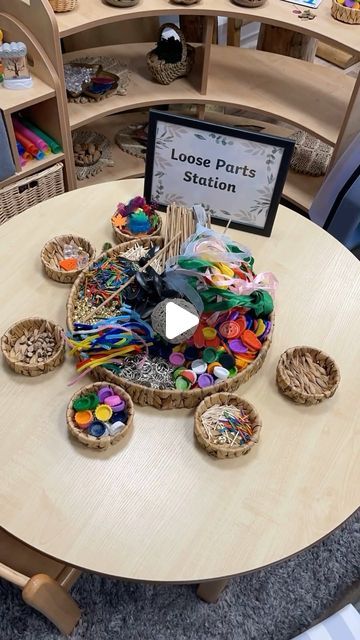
[[320, 100]]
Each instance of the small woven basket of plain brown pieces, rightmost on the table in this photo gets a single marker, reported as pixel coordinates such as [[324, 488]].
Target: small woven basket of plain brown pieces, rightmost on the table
[[307, 375]]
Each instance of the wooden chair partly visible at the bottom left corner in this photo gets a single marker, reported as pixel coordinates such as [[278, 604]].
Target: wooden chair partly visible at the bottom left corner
[[44, 582]]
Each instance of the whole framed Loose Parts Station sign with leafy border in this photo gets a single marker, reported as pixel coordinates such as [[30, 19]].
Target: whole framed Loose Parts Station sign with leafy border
[[237, 176]]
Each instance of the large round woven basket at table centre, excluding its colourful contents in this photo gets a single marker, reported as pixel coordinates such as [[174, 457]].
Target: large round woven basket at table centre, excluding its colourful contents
[[165, 398]]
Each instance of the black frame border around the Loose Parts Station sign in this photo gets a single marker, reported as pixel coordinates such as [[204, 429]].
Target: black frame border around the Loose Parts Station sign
[[285, 144]]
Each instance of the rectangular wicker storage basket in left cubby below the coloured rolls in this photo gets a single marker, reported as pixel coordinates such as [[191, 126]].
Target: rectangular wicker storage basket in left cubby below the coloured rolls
[[26, 193]]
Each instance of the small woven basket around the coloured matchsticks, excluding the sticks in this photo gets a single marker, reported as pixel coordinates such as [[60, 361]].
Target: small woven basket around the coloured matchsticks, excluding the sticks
[[226, 450]]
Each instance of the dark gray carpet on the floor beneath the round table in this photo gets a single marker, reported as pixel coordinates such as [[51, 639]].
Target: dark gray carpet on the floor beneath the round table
[[272, 604]]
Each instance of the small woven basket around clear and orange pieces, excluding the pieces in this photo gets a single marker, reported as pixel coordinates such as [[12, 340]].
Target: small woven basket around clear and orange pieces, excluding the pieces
[[52, 253]]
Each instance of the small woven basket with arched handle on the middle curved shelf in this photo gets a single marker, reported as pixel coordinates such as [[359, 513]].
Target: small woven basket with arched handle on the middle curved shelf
[[167, 72]]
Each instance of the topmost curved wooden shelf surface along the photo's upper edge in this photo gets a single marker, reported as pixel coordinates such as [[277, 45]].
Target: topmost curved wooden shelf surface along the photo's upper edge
[[93, 13]]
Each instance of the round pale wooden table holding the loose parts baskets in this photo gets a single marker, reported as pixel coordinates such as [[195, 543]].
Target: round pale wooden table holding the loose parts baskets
[[157, 507]]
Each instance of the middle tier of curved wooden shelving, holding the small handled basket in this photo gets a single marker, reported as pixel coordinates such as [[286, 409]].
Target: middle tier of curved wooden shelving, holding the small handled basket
[[253, 80]]
